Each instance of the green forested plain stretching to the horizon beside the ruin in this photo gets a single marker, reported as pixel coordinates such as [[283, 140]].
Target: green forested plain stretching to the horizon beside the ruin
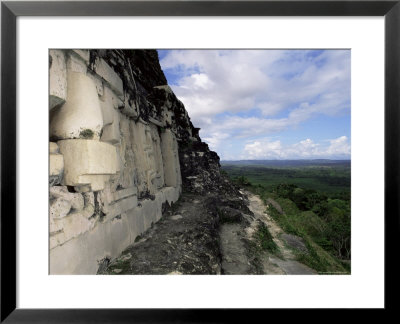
[[315, 205]]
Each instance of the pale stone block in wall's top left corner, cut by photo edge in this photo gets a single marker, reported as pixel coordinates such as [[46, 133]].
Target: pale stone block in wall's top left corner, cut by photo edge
[[58, 78]]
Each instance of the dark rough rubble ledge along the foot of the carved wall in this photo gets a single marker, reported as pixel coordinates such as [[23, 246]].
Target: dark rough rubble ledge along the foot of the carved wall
[[184, 241]]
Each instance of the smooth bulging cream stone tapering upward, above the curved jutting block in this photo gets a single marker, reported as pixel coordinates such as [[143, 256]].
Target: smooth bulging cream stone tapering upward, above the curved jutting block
[[81, 115]]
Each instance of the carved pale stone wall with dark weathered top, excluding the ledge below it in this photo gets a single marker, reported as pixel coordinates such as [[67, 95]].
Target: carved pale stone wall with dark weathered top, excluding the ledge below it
[[116, 132]]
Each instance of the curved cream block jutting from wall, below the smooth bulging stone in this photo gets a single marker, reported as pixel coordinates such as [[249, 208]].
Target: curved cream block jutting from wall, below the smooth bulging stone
[[88, 162]]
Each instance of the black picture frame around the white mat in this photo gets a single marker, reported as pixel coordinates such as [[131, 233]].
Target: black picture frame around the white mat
[[11, 10]]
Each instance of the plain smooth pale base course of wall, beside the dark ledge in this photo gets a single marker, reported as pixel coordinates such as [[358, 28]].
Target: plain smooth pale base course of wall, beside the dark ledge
[[107, 239]]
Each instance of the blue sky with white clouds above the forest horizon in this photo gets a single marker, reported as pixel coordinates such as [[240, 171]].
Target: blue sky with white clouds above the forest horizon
[[266, 104]]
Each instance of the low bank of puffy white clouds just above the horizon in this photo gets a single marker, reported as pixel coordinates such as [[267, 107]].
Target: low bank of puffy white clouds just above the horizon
[[305, 149]]
